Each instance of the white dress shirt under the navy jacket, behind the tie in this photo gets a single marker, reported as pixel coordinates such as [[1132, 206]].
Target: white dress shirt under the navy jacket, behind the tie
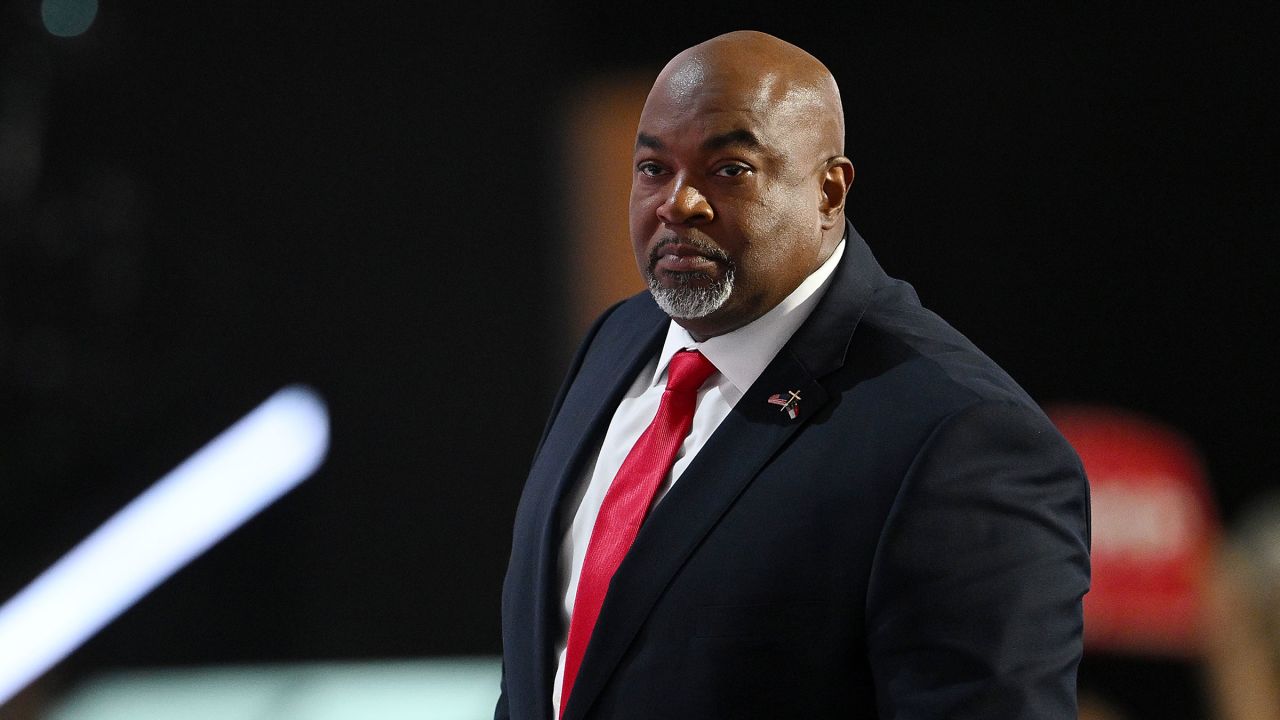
[[739, 357]]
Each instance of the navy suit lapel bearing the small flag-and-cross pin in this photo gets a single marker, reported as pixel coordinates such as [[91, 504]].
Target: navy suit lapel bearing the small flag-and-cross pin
[[748, 439]]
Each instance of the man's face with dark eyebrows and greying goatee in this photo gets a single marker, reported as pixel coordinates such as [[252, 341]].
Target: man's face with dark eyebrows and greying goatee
[[725, 199]]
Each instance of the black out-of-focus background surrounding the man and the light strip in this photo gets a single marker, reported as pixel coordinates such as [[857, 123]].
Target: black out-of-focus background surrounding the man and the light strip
[[203, 204]]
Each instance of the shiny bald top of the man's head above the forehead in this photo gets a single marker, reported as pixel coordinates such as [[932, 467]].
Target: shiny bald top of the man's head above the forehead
[[770, 75]]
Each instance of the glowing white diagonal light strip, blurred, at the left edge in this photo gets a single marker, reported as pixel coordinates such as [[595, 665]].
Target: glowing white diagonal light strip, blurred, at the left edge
[[241, 472]]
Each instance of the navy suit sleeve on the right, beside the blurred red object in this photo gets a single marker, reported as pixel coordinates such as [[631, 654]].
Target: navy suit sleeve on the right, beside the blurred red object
[[975, 608]]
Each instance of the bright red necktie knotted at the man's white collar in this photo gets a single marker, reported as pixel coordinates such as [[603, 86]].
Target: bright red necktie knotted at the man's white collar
[[628, 502]]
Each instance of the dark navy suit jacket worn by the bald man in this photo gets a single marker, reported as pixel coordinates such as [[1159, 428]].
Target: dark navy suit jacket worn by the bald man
[[913, 545]]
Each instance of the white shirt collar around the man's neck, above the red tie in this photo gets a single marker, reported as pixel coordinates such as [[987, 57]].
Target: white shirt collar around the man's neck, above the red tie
[[742, 356]]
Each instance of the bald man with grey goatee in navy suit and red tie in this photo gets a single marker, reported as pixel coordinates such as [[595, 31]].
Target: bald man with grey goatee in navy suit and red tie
[[836, 508]]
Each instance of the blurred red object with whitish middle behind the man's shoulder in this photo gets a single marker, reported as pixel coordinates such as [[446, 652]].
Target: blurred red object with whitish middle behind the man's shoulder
[[1155, 527]]
